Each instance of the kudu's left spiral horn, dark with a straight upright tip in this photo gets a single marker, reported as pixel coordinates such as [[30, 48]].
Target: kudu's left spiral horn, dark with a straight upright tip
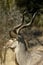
[[14, 31]]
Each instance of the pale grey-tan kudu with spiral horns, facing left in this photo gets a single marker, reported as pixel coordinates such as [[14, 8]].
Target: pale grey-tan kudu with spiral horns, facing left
[[23, 56]]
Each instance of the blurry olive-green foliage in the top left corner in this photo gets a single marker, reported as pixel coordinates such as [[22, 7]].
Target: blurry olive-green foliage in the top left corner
[[6, 4]]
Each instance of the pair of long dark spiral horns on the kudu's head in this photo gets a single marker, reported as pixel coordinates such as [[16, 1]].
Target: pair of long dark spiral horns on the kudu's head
[[16, 30]]
